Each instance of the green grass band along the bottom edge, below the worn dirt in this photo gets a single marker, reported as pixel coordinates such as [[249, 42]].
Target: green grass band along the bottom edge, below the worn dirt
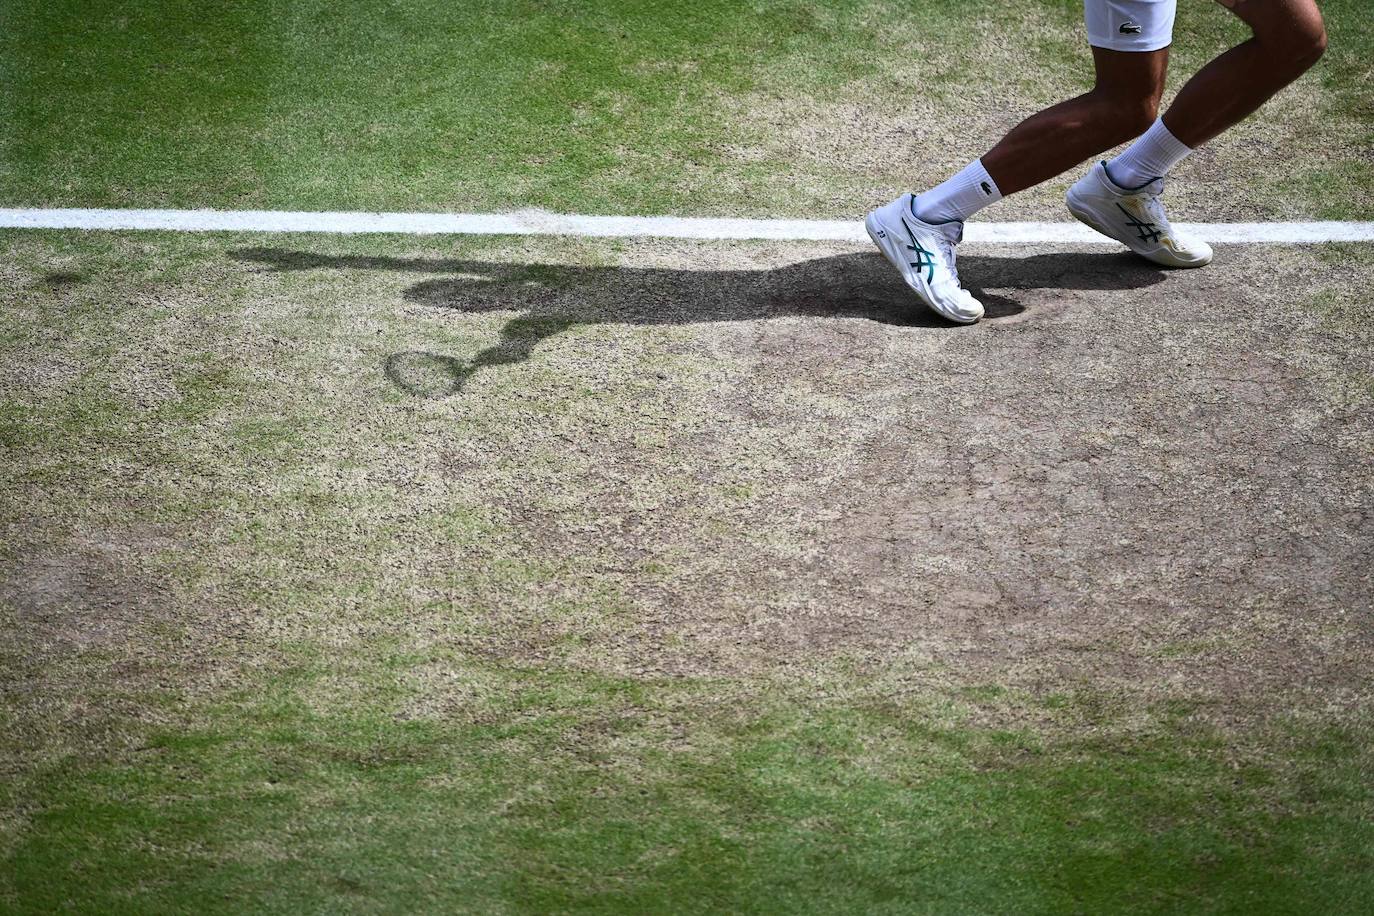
[[572, 793]]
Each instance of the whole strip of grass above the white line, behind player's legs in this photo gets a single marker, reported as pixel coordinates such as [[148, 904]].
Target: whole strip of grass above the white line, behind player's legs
[[608, 108]]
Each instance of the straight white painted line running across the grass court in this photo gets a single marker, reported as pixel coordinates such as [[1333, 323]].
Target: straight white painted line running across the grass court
[[545, 223]]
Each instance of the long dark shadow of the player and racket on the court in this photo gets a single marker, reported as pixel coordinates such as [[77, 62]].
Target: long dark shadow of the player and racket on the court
[[554, 297]]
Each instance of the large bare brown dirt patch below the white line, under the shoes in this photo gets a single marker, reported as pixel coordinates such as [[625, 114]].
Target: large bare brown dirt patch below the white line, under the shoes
[[1123, 476]]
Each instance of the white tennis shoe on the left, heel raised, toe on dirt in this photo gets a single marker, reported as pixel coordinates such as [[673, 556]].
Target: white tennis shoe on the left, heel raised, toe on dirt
[[924, 255]]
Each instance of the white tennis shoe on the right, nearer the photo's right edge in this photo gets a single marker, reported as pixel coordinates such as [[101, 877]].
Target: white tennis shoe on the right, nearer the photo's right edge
[[1134, 218]]
